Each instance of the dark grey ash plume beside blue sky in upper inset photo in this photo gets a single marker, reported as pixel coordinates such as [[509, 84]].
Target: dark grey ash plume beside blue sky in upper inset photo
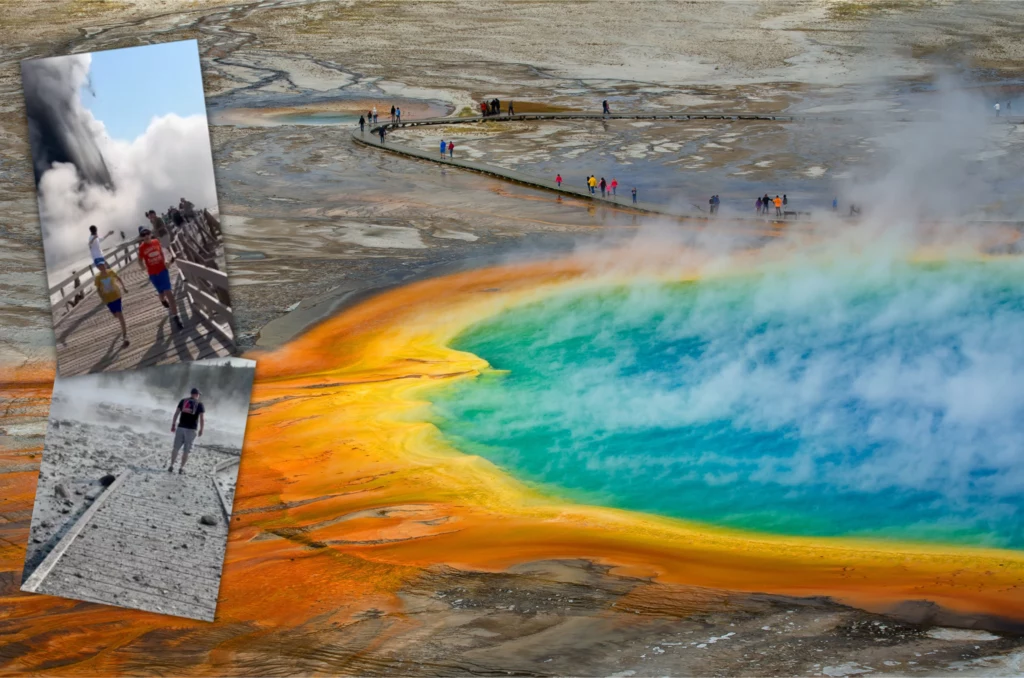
[[59, 128]]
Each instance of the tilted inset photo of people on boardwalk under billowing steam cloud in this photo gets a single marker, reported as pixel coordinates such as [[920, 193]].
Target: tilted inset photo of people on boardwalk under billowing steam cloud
[[129, 207]]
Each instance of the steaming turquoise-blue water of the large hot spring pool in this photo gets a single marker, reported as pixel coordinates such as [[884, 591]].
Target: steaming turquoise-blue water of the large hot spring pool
[[885, 403]]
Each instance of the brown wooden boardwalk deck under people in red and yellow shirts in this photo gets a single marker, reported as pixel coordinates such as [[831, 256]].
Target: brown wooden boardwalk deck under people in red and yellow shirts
[[89, 338]]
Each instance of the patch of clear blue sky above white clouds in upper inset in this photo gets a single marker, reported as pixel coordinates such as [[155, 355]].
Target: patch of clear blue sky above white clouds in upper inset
[[137, 84]]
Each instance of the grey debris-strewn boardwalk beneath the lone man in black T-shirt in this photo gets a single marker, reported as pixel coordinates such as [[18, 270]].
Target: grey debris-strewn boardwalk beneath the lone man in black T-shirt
[[141, 545]]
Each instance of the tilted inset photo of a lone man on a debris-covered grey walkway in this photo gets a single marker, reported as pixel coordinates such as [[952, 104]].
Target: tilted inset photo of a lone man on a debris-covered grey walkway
[[137, 485]]
